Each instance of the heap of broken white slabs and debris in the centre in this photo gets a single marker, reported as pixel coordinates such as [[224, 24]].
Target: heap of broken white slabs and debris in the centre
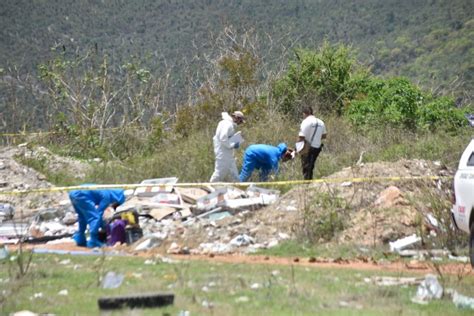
[[201, 220]]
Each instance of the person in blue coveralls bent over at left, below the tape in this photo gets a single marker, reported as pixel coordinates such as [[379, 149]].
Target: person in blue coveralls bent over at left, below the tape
[[90, 206]]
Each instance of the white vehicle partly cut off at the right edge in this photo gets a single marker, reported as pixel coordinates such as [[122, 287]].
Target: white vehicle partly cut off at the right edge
[[463, 215]]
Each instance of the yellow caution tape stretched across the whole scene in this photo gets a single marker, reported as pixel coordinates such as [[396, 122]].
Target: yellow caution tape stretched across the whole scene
[[236, 184]]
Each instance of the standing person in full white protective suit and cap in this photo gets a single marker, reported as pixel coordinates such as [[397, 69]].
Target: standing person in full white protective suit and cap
[[224, 147]]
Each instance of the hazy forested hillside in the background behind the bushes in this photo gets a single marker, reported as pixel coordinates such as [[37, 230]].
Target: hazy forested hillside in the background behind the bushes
[[430, 41]]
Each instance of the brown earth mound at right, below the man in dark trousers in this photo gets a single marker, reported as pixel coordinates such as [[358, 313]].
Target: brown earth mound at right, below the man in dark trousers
[[377, 212]]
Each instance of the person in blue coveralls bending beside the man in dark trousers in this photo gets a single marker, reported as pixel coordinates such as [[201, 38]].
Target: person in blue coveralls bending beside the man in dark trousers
[[264, 158]]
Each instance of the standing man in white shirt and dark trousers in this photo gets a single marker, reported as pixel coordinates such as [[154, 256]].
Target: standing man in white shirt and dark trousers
[[313, 131]]
